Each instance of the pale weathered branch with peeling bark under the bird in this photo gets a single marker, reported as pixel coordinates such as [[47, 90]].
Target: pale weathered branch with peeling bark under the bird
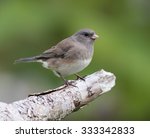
[[56, 104]]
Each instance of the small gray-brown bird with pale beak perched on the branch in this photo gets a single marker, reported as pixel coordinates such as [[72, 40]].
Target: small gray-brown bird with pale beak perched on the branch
[[69, 56]]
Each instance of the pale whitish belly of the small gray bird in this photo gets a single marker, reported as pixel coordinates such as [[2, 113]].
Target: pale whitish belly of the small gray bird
[[72, 68]]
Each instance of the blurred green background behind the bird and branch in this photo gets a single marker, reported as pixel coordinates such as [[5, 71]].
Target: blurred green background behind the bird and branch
[[29, 27]]
